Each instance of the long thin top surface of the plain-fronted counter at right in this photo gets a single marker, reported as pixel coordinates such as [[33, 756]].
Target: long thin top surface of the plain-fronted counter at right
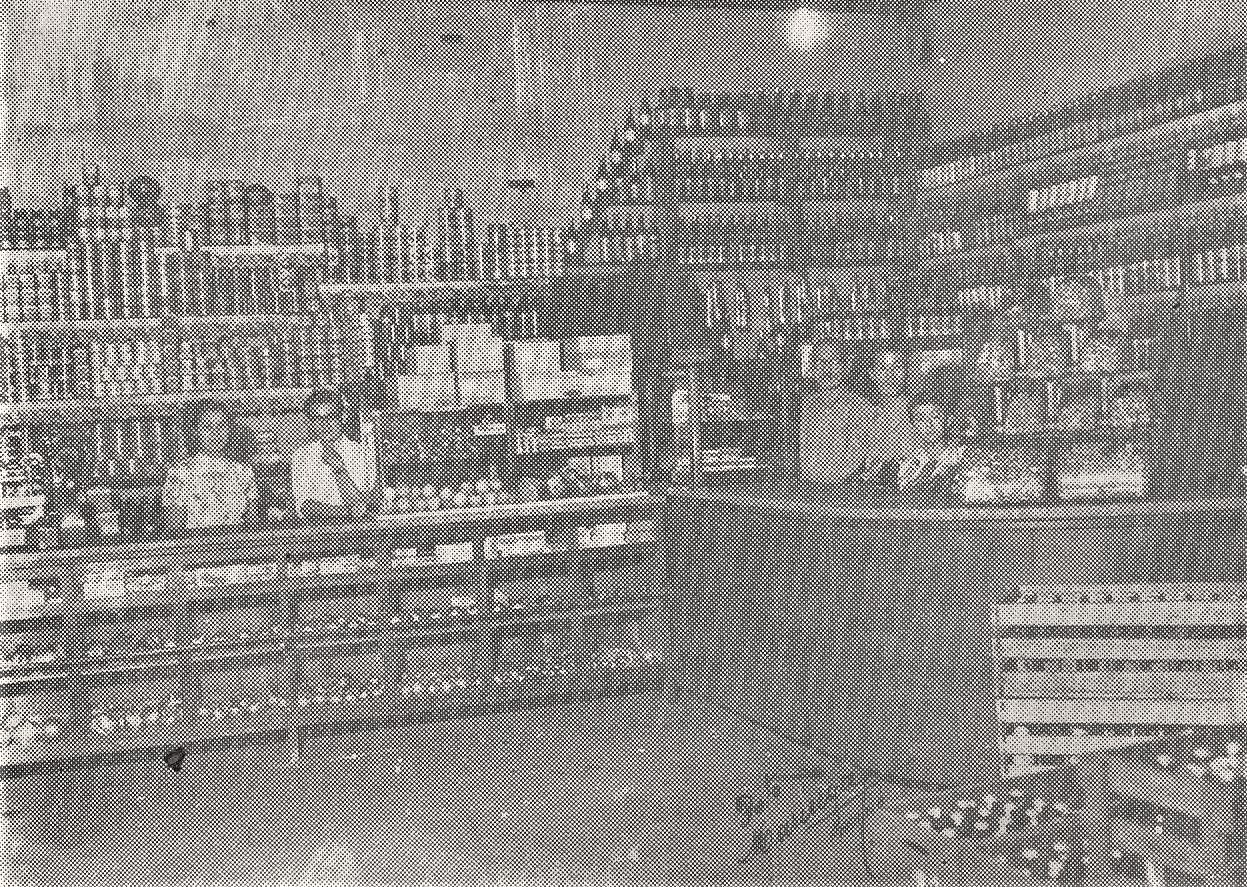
[[834, 502]]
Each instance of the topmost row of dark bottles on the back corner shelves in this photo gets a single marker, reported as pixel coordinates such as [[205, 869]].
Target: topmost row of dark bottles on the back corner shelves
[[776, 114]]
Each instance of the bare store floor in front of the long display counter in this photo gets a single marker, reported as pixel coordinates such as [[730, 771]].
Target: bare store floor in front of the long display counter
[[618, 792]]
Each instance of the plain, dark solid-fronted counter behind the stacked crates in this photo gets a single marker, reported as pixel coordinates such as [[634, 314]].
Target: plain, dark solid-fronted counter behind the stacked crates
[[869, 634]]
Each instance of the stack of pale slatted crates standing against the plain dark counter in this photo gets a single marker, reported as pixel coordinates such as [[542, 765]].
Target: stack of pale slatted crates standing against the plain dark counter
[[1087, 668]]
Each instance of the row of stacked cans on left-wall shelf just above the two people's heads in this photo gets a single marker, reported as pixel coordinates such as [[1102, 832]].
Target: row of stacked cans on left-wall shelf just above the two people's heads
[[49, 369]]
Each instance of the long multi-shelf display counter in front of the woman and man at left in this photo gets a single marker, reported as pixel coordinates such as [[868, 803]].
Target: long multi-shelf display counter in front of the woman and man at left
[[129, 649]]
